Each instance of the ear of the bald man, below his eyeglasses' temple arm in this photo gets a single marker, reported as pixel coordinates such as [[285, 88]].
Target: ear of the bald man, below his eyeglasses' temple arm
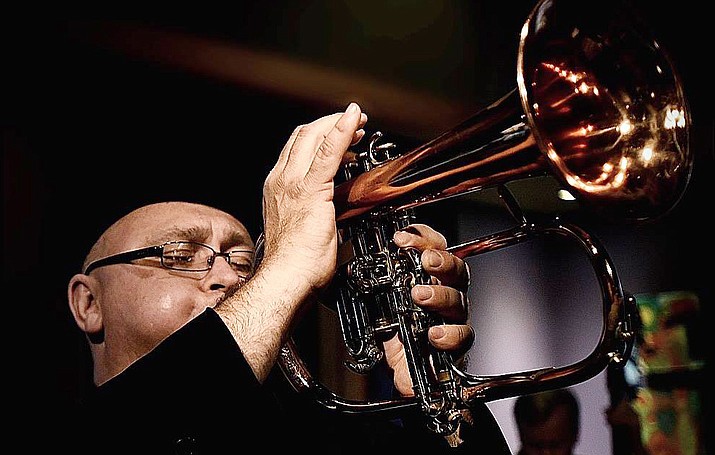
[[85, 307]]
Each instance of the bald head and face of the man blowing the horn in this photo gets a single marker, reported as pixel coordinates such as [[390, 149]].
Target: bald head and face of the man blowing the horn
[[128, 305]]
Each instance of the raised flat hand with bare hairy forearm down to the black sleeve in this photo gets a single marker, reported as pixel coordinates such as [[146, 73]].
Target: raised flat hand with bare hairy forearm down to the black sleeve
[[300, 238]]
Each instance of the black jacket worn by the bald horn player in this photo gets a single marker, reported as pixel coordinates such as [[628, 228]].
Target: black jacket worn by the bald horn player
[[195, 394]]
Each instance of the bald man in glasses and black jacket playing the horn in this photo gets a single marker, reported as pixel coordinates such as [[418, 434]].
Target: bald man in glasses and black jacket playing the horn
[[184, 334]]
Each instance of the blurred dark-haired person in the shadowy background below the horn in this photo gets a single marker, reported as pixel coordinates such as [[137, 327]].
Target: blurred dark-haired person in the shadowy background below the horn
[[548, 422]]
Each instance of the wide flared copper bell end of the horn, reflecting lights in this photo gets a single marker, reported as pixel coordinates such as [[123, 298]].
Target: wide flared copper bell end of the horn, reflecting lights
[[606, 107]]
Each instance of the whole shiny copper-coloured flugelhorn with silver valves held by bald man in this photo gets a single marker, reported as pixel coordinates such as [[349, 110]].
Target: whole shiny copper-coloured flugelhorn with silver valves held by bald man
[[599, 106]]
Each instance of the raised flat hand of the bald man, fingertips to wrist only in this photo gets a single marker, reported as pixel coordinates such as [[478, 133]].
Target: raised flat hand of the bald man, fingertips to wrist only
[[298, 211]]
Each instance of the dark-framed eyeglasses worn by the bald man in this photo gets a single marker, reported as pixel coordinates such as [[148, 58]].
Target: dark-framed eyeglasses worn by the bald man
[[183, 256]]
